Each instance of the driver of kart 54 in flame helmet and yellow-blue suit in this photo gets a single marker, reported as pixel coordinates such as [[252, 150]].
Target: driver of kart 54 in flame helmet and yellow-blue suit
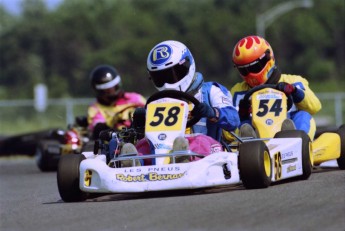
[[254, 59]]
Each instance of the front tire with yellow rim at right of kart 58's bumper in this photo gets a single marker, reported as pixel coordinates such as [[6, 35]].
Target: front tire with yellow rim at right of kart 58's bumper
[[255, 165]]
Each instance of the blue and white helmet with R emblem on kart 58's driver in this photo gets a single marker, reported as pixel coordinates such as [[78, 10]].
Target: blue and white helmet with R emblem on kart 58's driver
[[171, 66]]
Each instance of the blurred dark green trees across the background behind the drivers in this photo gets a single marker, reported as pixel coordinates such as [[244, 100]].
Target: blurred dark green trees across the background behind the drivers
[[61, 47]]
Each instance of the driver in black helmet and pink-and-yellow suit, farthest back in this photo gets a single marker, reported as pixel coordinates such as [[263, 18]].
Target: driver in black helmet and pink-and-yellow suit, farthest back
[[113, 107]]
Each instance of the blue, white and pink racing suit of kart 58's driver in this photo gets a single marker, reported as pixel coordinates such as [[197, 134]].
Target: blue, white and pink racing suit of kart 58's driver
[[205, 135]]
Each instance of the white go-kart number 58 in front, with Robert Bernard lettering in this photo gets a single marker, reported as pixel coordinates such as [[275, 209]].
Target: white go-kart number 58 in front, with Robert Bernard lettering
[[254, 163]]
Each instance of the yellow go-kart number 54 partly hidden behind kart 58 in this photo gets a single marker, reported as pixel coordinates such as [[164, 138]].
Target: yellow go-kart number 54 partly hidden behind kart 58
[[269, 110]]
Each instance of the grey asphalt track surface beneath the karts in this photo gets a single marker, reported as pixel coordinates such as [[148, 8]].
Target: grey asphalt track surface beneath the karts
[[30, 201]]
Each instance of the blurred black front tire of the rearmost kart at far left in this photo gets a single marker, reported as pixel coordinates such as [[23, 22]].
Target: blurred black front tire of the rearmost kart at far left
[[47, 155]]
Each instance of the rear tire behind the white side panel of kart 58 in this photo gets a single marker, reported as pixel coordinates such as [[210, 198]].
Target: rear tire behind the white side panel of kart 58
[[306, 147]]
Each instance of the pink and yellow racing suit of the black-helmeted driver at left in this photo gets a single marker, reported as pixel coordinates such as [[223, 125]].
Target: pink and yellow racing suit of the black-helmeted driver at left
[[117, 115]]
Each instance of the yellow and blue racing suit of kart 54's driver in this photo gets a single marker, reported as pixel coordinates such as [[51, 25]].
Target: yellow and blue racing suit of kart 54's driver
[[305, 102]]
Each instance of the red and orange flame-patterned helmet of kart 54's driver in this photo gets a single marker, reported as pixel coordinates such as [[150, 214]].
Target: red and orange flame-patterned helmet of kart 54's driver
[[254, 59]]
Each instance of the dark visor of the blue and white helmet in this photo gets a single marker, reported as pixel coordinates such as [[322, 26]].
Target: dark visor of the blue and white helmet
[[171, 75]]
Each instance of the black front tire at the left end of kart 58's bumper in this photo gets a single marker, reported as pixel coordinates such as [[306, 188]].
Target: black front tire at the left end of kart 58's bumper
[[68, 178]]
